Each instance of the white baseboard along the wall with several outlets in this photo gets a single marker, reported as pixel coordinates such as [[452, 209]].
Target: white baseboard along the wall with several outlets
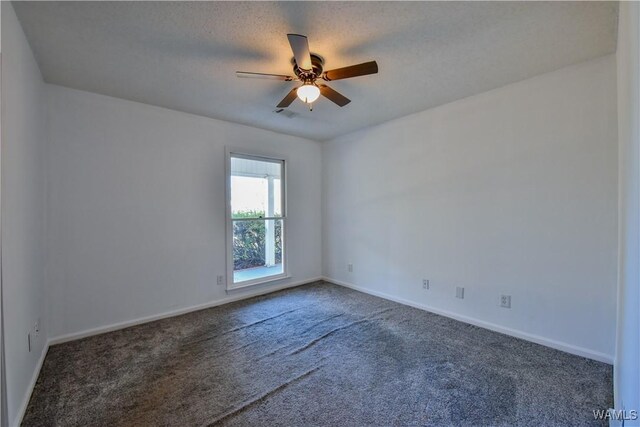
[[567, 348]]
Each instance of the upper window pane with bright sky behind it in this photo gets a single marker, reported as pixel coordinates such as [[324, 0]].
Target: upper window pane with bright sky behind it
[[256, 188]]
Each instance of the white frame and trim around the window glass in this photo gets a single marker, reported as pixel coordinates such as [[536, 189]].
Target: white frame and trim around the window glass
[[256, 155]]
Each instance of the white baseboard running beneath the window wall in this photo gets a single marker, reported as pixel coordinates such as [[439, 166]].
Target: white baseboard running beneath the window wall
[[230, 298]]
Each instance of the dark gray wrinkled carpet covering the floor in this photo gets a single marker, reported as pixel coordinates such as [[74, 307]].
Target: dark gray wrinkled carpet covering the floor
[[314, 355]]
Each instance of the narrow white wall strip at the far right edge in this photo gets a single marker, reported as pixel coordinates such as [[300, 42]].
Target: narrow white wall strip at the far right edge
[[627, 365]]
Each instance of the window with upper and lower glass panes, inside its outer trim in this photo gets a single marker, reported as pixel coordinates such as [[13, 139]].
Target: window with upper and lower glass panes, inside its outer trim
[[256, 206]]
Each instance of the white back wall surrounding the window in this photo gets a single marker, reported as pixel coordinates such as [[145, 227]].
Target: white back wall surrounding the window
[[137, 208]]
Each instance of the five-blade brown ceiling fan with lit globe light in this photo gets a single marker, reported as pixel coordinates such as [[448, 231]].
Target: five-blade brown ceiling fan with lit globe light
[[308, 68]]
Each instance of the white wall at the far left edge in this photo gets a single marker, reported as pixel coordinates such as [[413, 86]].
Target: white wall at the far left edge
[[23, 210]]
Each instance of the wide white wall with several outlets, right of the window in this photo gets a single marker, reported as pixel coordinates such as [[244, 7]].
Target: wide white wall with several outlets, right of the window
[[513, 191]]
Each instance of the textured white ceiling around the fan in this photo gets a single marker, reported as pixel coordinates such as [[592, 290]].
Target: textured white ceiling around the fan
[[183, 55]]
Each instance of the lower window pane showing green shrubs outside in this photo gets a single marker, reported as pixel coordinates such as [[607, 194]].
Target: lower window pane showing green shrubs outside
[[257, 249]]
